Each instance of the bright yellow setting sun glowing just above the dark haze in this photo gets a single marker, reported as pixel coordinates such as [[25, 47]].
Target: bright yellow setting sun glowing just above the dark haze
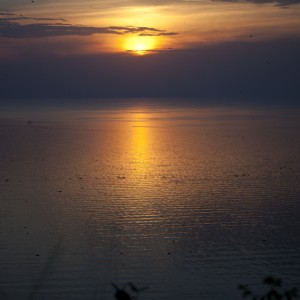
[[140, 45]]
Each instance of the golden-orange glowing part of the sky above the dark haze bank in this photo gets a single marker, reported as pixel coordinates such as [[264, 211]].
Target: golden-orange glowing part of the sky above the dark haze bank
[[140, 27]]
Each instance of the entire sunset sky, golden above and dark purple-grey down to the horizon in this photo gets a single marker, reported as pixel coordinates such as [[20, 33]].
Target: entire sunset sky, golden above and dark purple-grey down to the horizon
[[228, 51]]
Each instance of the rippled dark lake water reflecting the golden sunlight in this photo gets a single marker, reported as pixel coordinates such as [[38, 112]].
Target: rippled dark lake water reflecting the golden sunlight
[[189, 202]]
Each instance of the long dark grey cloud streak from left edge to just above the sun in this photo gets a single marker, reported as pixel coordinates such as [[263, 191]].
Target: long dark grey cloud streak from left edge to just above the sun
[[10, 27]]
